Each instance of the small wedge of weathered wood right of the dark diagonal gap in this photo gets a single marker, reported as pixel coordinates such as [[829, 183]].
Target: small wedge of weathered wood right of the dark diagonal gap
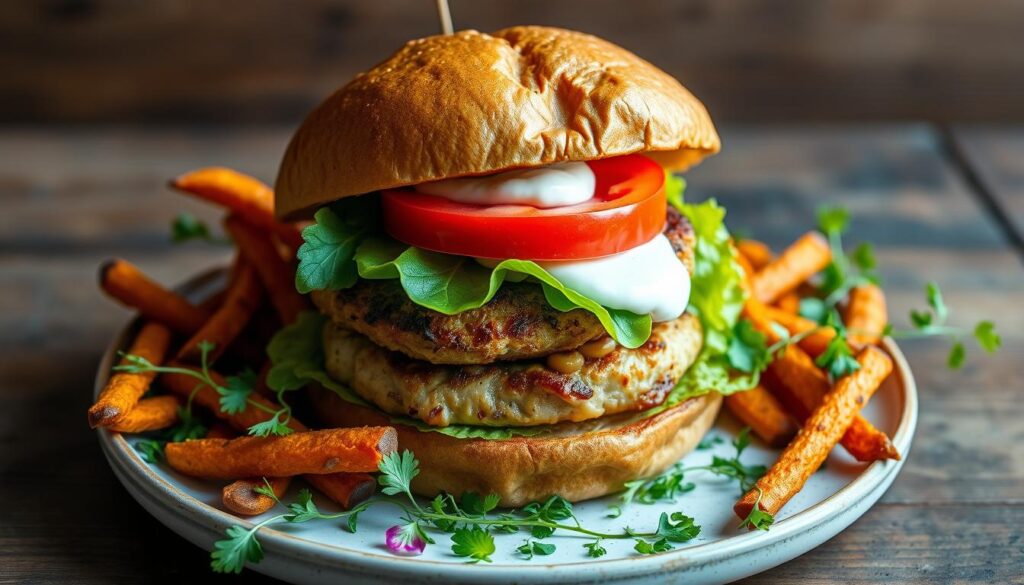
[[998, 156]]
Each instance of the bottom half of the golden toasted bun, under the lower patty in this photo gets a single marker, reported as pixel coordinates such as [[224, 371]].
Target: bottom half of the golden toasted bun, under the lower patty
[[579, 463]]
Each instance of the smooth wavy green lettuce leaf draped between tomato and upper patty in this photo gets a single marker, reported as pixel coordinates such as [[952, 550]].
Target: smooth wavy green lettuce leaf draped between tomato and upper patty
[[453, 284]]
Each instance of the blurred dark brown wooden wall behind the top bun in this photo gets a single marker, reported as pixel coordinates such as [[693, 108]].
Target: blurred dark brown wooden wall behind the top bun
[[270, 61]]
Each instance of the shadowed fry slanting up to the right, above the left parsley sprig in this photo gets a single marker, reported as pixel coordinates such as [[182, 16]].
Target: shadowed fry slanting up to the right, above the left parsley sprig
[[243, 300]]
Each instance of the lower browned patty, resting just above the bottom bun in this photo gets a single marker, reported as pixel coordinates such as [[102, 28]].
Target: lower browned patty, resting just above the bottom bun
[[518, 394]]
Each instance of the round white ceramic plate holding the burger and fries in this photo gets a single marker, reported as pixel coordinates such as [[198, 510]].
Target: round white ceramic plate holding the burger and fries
[[324, 553]]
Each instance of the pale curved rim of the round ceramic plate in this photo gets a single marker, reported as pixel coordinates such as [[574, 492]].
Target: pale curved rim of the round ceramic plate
[[872, 478]]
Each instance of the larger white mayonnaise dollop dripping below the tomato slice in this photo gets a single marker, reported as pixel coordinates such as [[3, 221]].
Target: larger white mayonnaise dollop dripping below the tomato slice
[[646, 280]]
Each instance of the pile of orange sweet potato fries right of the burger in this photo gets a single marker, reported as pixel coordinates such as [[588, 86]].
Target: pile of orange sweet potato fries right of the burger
[[796, 405]]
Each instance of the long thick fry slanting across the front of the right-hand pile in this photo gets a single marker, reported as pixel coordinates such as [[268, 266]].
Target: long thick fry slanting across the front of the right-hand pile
[[821, 433]]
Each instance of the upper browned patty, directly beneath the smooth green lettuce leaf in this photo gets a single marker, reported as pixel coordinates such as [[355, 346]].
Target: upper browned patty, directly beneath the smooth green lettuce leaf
[[517, 324]]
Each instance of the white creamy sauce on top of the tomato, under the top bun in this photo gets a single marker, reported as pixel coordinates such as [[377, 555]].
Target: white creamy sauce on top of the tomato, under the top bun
[[552, 186]]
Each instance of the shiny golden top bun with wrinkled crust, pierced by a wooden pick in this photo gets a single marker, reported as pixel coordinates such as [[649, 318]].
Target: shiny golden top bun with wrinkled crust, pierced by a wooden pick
[[477, 104]]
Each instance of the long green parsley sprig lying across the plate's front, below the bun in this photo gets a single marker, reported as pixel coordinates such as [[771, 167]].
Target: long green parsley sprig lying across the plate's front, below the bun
[[470, 522]]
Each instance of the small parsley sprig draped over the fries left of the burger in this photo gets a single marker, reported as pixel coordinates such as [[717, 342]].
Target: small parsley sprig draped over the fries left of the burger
[[235, 394]]
